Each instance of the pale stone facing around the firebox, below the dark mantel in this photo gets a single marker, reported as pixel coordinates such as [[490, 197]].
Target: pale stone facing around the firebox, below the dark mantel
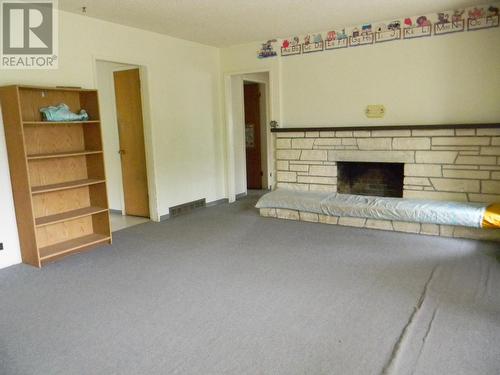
[[455, 164]]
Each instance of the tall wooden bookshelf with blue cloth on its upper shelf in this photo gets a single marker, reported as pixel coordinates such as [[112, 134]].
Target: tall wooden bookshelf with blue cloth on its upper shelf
[[57, 172]]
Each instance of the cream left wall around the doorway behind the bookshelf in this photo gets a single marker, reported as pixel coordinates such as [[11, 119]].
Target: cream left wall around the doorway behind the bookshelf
[[184, 93]]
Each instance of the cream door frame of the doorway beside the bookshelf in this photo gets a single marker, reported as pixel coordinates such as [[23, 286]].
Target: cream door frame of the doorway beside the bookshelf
[[147, 126]]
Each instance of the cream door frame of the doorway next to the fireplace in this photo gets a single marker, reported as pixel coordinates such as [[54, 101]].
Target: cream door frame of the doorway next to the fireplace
[[271, 114]]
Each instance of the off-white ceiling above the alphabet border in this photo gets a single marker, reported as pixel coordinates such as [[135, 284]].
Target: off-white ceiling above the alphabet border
[[224, 23]]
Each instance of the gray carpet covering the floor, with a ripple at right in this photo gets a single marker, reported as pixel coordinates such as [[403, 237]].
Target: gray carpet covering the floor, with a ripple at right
[[224, 291]]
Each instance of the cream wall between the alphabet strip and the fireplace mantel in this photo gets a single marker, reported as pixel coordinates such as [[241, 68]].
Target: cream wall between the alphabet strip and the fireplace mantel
[[442, 79]]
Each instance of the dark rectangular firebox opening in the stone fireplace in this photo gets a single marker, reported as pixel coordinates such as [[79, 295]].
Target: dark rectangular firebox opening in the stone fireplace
[[366, 178]]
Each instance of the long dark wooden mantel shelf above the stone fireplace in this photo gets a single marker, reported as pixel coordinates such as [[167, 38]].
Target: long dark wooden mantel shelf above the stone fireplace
[[386, 127]]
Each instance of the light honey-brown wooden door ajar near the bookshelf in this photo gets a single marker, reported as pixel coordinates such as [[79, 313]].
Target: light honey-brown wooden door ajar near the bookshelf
[[132, 150]]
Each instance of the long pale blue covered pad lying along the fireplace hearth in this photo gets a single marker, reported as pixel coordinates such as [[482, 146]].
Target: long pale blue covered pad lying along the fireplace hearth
[[477, 215]]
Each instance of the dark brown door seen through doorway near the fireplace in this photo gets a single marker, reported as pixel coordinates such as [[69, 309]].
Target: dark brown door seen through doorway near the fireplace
[[252, 135]]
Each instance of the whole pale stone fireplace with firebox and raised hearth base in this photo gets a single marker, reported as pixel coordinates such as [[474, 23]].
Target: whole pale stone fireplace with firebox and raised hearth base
[[435, 162]]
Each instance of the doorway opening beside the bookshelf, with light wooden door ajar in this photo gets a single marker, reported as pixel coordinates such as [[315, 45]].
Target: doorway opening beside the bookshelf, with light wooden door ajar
[[121, 99]]
